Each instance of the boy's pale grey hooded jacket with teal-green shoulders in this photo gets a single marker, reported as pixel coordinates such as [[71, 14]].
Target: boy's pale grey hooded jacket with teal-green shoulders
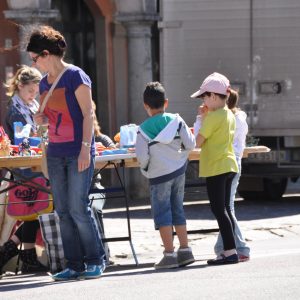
[[162, 147]]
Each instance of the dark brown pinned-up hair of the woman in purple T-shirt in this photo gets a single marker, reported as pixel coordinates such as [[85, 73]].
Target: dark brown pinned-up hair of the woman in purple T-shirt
[[46, 38]]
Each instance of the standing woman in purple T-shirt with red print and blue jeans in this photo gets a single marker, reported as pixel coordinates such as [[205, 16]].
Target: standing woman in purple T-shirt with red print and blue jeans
[[71, 152]]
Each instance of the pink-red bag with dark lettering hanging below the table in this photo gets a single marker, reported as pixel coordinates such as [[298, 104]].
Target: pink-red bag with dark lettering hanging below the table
[[21, 201]]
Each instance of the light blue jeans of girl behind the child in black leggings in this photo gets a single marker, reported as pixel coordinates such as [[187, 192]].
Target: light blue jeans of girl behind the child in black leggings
[[241, 245]]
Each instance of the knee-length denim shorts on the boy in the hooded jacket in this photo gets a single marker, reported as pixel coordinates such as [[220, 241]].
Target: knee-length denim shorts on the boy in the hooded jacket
[[167, 202]]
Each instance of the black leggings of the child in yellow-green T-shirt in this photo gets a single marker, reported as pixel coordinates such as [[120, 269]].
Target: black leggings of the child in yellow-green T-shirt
[[218, 189]]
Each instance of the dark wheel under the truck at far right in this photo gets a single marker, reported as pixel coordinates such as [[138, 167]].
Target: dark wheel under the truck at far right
[[274, 188]]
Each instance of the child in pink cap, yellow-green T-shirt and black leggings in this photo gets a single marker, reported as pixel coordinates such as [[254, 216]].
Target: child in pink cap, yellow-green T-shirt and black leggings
[[218, 163]]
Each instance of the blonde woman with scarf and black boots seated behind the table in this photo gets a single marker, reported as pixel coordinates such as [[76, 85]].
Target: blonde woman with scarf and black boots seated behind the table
[[22, 88]]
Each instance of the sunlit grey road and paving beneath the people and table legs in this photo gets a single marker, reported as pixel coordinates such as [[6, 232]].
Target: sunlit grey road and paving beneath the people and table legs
[[273, 272]]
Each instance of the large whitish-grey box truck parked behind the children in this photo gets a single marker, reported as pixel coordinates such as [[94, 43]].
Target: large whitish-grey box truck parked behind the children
[[256, 44]]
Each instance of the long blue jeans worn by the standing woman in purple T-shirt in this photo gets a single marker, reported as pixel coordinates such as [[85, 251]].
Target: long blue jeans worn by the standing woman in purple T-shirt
[[70, 190]]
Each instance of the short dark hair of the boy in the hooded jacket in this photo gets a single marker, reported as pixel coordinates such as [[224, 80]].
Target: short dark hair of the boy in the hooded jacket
[[154, 95]]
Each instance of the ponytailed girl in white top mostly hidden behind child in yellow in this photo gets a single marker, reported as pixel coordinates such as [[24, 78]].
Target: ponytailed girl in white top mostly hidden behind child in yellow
[[239, 144]]
